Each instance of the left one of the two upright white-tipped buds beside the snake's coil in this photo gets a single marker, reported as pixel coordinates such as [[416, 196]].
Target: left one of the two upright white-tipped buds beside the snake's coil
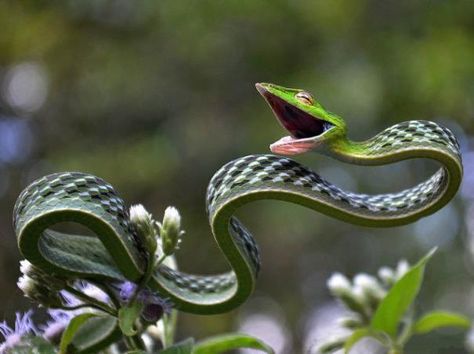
[[145, 226]]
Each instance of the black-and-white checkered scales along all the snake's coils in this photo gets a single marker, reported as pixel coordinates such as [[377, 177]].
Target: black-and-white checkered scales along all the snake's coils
[[255, 174]]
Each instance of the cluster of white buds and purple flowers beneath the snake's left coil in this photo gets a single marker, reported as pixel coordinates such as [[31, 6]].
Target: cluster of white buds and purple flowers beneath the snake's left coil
[[65, 299]]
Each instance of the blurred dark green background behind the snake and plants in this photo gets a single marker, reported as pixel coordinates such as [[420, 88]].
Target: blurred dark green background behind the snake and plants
[[155, 96]]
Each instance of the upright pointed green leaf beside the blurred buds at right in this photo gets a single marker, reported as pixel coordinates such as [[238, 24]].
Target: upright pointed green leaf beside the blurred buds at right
[[399, 298]]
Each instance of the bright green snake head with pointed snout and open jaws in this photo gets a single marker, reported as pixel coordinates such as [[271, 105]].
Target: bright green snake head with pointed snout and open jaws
[[309, 124]]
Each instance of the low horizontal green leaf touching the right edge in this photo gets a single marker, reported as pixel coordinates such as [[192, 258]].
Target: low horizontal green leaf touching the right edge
[[438, 319]]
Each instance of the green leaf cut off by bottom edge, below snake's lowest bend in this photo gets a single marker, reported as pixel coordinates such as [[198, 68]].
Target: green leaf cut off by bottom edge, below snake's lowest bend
[[225, 342]]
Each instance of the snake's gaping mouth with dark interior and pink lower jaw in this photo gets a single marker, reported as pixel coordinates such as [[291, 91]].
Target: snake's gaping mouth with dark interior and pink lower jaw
[[303, 127]]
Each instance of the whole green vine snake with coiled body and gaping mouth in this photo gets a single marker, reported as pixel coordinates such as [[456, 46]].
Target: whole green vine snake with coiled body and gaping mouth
[[115, 254]]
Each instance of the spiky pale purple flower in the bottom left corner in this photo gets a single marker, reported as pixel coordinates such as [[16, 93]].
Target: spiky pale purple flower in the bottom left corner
[[23, 326]]
